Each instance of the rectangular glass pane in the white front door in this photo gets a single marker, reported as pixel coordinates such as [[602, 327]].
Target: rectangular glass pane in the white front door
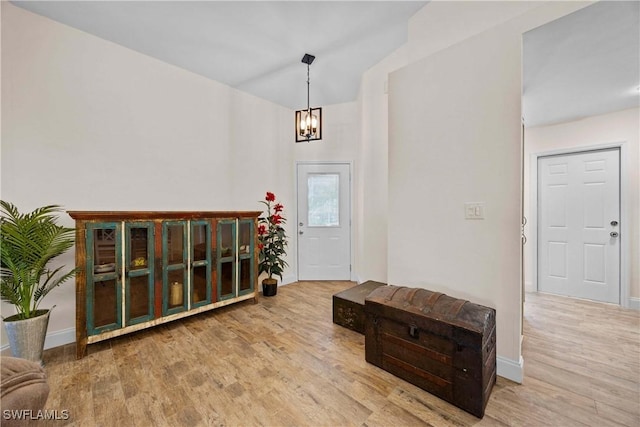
[[323, 200]]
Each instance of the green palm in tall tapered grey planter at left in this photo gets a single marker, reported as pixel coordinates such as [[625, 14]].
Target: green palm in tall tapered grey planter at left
[[28, 242]]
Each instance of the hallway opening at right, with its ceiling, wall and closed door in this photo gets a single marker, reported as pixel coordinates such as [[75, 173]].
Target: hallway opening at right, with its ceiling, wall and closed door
[[573, 101]]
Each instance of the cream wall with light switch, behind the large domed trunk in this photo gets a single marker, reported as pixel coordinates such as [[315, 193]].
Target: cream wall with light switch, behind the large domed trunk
[[454, 137]]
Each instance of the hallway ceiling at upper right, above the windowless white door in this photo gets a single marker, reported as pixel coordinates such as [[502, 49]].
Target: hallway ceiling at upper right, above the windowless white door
[[583, 64]]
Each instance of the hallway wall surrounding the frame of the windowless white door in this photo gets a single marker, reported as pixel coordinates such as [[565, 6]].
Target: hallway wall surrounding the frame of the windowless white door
[[621, 126]]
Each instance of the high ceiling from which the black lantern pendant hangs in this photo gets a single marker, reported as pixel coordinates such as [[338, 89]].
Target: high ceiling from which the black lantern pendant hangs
[[254, 46]]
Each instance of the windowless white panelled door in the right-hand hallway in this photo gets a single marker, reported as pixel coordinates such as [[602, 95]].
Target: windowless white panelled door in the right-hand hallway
[[578, 217]]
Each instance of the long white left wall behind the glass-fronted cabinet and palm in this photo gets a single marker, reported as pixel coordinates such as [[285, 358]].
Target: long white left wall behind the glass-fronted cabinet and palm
[[91, 125]]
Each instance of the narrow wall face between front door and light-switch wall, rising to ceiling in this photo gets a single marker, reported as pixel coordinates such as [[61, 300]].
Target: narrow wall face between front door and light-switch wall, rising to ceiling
[[440, 24]]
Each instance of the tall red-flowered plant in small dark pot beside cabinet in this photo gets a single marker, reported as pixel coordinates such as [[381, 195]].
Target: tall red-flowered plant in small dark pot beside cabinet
[[272, 243]]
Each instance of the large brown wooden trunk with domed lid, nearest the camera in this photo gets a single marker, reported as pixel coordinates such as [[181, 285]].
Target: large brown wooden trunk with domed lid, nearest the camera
[[441, 344]]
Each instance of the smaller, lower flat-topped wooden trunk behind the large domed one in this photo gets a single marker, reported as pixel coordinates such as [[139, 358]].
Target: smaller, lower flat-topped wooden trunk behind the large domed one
[[348, 305]]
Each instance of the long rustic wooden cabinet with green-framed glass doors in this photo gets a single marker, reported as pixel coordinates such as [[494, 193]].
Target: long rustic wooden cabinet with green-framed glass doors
[[140, 269]]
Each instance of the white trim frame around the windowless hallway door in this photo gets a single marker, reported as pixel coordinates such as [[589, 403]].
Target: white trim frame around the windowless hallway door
[[625, 214]]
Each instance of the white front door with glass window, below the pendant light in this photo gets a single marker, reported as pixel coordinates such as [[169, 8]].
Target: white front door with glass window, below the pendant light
[[324, 222]]
